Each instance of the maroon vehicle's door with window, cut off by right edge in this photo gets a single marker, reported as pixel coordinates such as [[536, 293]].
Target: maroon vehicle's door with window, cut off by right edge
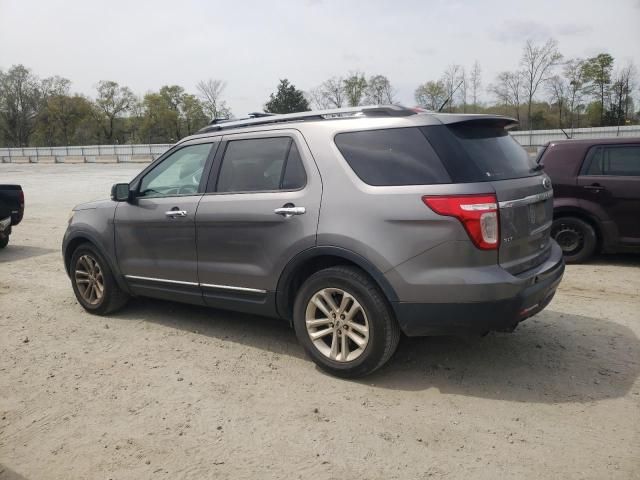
[[610, 177]]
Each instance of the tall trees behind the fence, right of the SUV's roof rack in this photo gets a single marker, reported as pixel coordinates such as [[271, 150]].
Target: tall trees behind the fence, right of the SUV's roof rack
[[546, 90]]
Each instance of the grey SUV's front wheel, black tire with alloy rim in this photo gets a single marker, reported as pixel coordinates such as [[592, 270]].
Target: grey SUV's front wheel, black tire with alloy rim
[[112, 298]]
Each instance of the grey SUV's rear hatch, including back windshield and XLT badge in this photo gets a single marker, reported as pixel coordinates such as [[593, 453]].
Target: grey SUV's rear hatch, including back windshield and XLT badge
[[481, 150]]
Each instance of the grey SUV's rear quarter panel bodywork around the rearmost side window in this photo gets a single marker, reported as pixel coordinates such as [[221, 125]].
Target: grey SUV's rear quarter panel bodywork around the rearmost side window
[[387, 225]]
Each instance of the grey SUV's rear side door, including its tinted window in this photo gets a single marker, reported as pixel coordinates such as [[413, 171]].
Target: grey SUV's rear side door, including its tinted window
[[261, 209]]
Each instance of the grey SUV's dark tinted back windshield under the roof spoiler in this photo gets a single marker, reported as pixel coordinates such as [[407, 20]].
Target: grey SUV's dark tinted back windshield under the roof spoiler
[[475, 152]]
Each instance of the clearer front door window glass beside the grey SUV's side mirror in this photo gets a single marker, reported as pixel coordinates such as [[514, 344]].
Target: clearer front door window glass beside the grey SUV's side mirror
[[178, 174]]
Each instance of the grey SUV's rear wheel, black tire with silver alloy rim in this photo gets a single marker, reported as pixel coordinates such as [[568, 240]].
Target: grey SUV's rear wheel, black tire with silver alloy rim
[[372, 322]]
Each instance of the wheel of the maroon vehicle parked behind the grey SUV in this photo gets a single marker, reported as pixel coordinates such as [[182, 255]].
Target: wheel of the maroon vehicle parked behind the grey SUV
[[576, 237]]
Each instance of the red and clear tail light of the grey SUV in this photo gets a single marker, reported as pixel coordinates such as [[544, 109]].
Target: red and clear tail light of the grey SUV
[[477, 213]]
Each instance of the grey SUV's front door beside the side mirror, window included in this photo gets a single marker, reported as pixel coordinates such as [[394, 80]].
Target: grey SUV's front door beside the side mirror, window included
[[155, 233]]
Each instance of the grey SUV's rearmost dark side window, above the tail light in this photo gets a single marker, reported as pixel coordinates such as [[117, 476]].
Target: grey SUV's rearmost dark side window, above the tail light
[[397, 156]]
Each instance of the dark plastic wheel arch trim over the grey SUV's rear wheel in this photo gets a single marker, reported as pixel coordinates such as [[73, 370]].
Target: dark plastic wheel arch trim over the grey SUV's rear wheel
[[306, 263]]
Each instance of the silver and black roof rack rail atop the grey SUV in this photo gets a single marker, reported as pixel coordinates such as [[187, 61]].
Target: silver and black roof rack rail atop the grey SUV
[[262, 119]]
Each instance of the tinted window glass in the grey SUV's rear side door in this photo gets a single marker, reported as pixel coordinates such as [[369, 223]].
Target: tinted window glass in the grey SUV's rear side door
[[261, 164]]
